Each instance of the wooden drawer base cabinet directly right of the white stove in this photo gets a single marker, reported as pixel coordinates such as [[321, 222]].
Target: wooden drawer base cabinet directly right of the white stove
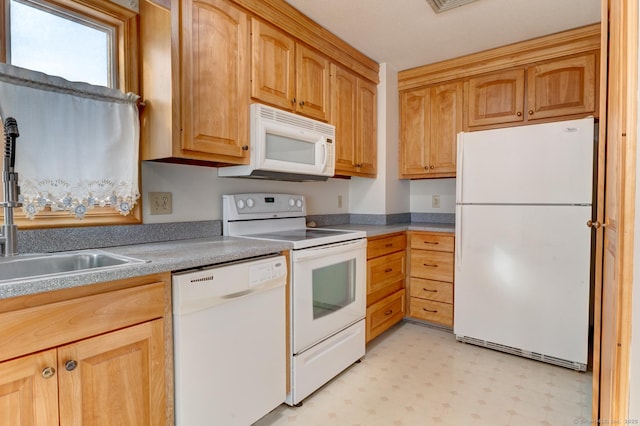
[[386, 262]]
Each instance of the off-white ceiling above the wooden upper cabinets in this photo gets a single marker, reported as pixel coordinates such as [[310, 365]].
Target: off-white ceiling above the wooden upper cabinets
[[408, 33]]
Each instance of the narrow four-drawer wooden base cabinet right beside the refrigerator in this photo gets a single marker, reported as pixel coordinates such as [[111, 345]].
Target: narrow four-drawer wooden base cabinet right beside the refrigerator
[[431, 277]]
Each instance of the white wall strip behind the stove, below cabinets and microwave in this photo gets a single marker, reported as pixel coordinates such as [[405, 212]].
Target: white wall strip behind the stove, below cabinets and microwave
[[197, 191]]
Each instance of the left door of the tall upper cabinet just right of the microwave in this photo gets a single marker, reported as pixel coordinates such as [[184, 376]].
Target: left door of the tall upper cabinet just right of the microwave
[[344, 117]]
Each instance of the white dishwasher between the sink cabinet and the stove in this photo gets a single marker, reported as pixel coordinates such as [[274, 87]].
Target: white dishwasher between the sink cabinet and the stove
[[229, 342]]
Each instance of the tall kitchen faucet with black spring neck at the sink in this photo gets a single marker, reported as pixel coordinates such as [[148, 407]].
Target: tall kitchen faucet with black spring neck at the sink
[[9, 234]]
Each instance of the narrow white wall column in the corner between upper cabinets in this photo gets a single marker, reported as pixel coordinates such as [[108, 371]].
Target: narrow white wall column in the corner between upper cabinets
[[386, 194]]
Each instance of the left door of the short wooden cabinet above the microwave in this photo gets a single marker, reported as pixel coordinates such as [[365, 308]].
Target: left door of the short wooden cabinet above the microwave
[[272, 65]]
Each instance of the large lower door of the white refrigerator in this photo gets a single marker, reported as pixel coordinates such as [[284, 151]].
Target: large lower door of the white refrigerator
[[522, 278]]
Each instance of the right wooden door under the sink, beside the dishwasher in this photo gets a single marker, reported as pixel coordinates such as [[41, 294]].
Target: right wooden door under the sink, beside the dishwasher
[[118, 378]]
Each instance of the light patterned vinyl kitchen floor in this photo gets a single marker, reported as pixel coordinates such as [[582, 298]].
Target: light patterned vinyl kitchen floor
[[418, 375]]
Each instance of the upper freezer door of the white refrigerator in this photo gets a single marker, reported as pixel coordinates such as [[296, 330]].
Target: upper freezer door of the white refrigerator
[[548, 163]]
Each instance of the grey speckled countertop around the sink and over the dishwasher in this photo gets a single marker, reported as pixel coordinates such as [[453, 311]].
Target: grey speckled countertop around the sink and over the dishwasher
[[159, 257]]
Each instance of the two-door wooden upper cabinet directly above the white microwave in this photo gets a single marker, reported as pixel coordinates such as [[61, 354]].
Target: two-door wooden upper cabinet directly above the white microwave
[[288, 74]]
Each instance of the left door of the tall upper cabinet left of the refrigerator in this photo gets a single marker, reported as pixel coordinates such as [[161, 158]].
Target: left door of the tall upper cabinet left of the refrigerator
[[415, 121]]
